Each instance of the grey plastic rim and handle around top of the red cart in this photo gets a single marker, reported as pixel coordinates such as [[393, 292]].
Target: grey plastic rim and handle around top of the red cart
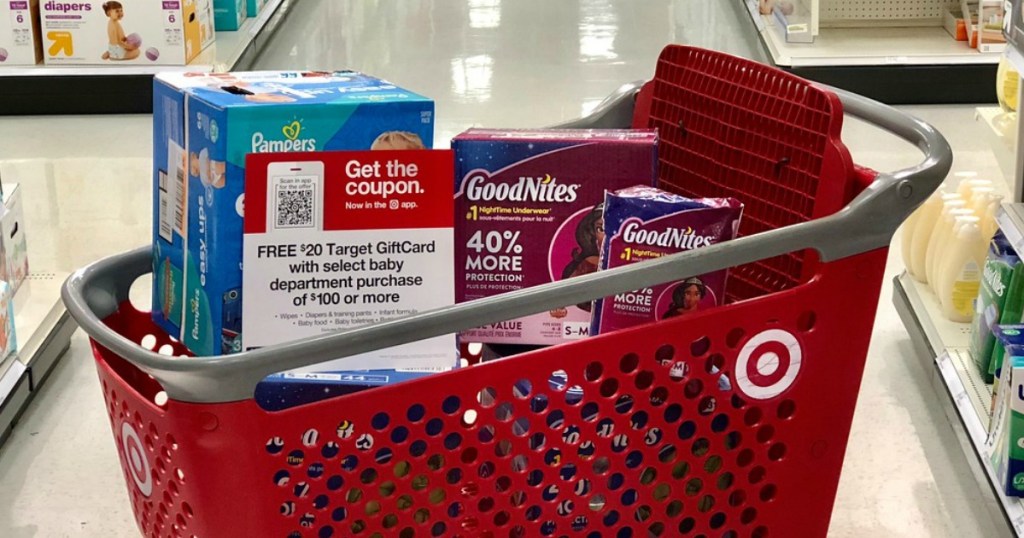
[[867, 224]]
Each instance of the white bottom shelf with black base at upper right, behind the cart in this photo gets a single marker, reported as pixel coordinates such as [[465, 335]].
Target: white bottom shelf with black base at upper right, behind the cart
[[905, 65]]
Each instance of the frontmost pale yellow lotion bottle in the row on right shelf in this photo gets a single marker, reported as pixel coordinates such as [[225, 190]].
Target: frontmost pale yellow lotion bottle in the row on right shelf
[[960, 270]]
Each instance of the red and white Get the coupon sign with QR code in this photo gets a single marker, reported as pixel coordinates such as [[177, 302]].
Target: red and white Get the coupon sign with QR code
[[339, 240]]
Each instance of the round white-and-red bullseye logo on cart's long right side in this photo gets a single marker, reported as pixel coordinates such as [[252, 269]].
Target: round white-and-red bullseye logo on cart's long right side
[[769, 364]]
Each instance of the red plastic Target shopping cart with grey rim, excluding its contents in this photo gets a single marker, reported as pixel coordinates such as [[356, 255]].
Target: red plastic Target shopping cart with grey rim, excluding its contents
[[730, 423]]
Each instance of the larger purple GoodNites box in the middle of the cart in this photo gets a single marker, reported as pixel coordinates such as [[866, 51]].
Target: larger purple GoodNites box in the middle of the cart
[[529, 213]]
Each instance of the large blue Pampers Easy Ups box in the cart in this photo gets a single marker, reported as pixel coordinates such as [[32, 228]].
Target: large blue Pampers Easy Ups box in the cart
[[204, 127]]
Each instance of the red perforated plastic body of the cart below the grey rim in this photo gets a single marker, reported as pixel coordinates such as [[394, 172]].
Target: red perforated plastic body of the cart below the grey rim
[[732, 423]]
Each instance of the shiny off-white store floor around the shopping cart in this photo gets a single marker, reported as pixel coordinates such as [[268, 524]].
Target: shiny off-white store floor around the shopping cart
[[489, 63]]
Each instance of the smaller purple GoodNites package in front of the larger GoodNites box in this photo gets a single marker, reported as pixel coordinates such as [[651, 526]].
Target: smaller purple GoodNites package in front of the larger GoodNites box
[[645, 223]]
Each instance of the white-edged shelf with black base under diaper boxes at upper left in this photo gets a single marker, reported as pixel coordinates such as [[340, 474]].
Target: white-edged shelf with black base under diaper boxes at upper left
[[127, 90]]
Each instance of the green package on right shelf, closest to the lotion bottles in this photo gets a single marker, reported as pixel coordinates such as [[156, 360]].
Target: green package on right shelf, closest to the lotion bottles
[[1001, 301]]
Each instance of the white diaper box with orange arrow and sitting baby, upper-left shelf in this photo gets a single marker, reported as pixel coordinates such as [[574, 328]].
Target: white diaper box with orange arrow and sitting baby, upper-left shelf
[[125, 32]]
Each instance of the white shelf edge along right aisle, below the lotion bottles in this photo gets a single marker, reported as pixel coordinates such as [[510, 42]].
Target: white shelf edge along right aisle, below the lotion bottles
[[966, 399]]
